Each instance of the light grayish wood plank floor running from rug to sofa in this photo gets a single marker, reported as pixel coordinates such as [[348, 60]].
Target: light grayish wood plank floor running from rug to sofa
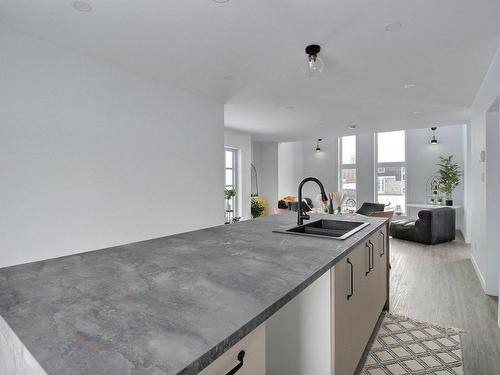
[[438, 284]]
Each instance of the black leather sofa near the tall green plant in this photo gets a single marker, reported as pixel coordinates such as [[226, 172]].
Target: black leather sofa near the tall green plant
[[433, 226]]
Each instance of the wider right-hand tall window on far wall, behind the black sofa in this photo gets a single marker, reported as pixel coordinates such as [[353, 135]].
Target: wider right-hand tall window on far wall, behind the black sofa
[[391, 169]]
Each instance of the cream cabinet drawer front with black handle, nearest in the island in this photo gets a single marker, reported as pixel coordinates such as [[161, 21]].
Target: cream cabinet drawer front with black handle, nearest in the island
[[254, 360]]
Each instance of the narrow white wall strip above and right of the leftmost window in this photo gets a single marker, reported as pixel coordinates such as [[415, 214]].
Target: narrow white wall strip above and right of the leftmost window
[[243, 143]]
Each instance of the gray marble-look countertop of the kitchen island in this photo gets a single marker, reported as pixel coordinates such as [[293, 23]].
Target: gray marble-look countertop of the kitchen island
[[164, 306]]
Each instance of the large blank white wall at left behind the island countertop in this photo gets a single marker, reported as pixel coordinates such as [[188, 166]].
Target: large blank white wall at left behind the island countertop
[[91, 156]]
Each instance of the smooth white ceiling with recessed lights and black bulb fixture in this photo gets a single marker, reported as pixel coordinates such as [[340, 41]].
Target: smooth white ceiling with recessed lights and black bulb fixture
[[444, 47]]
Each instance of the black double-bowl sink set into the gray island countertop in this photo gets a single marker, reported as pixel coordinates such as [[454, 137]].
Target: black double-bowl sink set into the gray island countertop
[[334, 229]]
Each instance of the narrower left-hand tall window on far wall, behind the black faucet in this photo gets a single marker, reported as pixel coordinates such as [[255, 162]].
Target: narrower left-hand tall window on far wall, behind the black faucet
[[347, 175]]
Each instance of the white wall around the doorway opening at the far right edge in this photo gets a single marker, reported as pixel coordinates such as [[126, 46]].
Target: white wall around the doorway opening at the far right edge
[[483, 257]]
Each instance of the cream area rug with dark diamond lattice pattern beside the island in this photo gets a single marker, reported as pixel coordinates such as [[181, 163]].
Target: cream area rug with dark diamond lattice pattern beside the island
[[407, 346]]
